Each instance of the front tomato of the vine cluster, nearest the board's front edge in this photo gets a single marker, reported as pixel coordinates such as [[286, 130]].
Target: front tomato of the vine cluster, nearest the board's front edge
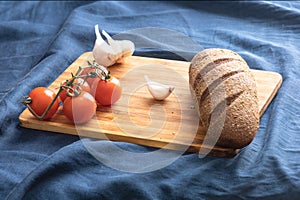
[[80, 109]]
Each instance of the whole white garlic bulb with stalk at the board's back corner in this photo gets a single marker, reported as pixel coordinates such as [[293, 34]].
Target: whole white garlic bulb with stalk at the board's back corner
[[112, 51]]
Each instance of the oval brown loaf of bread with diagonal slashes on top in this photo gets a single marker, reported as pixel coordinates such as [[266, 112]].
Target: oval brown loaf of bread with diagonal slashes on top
[[225, 92]]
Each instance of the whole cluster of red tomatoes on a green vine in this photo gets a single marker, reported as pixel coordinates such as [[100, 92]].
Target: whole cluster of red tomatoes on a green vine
[[90, 87]]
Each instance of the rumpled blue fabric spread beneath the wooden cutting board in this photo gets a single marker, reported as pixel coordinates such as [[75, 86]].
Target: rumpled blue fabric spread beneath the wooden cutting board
[[38, 40]]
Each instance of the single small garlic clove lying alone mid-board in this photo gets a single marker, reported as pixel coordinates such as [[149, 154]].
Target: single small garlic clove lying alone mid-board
[[157, 90]]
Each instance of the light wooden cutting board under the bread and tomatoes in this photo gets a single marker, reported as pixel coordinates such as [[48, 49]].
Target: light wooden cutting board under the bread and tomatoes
[[138, 118]]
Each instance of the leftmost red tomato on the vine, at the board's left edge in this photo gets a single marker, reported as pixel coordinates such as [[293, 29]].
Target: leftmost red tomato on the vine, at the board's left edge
[[41, 98]]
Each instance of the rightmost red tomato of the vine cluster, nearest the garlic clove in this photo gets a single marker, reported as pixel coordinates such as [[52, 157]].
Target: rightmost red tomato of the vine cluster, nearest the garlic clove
[[106, 92]]
